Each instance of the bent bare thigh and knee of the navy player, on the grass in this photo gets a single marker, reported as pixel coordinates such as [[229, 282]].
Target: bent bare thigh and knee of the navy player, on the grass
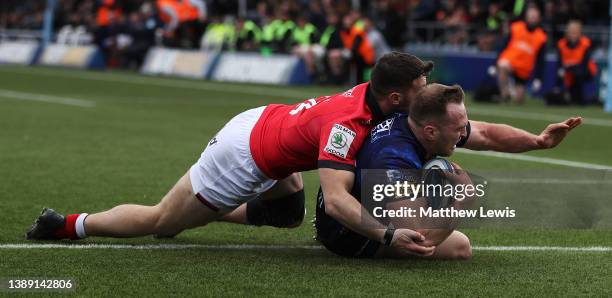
[[455, 247]]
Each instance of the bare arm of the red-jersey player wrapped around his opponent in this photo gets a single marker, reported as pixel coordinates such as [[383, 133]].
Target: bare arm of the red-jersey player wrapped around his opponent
[[340, 205]]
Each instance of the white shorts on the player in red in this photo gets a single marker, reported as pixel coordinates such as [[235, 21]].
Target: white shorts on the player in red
[[226, 175]]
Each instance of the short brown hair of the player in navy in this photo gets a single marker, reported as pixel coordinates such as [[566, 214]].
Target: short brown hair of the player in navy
[[432, 100]]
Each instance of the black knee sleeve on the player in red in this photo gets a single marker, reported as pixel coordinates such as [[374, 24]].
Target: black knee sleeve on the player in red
[[285, 212]]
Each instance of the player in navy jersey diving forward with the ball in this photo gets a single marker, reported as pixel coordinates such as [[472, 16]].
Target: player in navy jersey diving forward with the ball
[[437, 123]]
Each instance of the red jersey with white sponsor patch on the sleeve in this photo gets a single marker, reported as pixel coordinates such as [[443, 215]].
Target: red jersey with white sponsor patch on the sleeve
[[325, 132]]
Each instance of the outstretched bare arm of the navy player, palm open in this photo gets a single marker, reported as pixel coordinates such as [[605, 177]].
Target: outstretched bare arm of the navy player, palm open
[[505, 138]]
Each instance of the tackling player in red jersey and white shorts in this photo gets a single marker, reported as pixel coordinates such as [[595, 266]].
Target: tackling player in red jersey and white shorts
[[249, 172]]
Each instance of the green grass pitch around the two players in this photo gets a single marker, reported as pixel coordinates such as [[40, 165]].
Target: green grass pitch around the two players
[[145, 132]]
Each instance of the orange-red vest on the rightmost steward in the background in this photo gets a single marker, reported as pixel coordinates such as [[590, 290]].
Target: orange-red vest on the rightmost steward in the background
[[575, 58]]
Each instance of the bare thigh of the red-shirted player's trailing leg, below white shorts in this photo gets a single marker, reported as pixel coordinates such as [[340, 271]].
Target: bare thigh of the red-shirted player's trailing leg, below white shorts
[[180, 208]]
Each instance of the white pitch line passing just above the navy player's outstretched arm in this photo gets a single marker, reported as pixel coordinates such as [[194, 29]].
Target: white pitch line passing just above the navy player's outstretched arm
[[535, 116]]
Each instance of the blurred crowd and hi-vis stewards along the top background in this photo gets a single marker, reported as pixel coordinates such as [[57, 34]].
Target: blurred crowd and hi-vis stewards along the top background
[[330, 35]]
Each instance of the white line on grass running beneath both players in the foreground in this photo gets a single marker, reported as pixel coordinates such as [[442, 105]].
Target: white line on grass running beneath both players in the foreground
[[273, 247]]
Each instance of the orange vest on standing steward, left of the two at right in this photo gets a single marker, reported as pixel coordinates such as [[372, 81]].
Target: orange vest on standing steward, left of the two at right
[[522, 50]]
